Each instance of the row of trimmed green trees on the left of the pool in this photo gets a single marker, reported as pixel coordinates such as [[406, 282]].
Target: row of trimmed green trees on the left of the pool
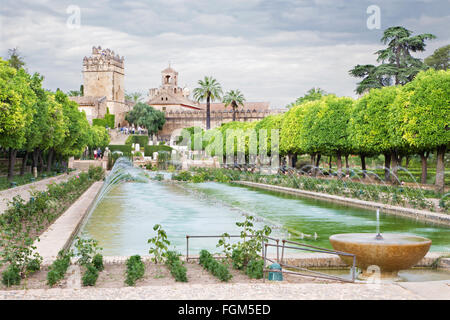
[[43, 125]]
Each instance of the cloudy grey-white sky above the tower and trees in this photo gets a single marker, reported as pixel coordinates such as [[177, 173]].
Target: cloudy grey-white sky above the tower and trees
[[271, 50]]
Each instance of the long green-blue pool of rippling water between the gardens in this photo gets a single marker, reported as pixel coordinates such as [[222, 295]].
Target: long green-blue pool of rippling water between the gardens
[[124, 219]]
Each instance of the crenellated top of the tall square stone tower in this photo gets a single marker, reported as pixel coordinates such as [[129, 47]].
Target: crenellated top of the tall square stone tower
[[103, 60]]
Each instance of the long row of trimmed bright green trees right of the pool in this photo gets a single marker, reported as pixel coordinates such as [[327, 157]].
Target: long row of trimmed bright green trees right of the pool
[[394, 121]]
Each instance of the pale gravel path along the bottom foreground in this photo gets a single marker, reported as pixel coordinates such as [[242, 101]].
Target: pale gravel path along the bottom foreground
[[265, 291]]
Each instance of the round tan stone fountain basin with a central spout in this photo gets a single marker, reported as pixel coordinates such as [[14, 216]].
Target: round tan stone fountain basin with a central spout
[[392, 253]]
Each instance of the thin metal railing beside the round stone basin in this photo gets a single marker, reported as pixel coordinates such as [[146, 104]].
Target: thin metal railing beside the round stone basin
[[280, 260]]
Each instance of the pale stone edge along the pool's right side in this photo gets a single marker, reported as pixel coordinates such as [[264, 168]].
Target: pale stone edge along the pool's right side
[[422, 215]]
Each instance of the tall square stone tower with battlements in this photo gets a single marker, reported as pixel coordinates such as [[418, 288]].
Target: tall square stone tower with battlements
[[103, 76]]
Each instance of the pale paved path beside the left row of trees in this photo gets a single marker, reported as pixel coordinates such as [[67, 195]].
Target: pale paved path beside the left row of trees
[[24, 190]]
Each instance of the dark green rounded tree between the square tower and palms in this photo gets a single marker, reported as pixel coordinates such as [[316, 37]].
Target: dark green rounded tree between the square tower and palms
[[146, 116]]
